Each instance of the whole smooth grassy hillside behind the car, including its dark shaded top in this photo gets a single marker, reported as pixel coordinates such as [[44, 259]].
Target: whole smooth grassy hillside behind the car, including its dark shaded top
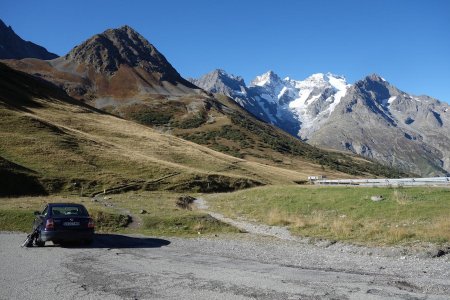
[[70, 147]]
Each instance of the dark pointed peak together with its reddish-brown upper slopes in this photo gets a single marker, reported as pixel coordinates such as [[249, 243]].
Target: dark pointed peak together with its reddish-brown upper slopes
[[117, 64]]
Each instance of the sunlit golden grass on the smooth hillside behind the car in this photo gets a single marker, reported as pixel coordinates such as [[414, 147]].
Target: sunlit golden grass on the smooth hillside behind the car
[[91, 147]]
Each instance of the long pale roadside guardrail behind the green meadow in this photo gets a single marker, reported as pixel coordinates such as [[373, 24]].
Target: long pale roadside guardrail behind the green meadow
[[431, 181]]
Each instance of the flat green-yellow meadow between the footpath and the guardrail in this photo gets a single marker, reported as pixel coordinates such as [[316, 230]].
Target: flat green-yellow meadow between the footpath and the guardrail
[[407, 215]]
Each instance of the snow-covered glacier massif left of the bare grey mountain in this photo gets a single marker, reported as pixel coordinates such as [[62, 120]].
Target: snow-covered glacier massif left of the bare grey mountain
[[298, 107]]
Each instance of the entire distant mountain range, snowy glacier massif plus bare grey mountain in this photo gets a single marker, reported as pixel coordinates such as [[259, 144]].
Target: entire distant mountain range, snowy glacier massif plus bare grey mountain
[[371, 117]]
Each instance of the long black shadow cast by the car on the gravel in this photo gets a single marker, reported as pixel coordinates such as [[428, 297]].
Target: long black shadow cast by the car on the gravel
[[117, 241]]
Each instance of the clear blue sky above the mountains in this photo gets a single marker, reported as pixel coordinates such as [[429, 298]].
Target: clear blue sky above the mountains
[[405, 41]]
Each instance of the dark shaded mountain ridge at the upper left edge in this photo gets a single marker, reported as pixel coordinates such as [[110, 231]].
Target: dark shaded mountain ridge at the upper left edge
[[12, 46]]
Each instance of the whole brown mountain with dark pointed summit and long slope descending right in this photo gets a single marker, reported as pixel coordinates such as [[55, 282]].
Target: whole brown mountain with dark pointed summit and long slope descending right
[[120, 72]]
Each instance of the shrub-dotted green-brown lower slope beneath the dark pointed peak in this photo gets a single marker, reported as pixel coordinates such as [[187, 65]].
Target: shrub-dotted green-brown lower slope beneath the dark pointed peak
[[220, 124]]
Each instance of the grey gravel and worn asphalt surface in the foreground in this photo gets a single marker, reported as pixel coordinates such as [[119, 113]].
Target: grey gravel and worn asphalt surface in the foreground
[[245, 267]]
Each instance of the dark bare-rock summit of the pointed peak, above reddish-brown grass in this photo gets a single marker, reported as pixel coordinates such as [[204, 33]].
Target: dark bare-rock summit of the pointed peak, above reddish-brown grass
[[105, 52]]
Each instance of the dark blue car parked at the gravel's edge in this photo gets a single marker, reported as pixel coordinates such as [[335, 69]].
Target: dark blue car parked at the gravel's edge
[[63, 222]]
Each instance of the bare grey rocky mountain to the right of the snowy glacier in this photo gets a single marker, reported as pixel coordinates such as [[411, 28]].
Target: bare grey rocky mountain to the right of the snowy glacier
[[377, 120]]
